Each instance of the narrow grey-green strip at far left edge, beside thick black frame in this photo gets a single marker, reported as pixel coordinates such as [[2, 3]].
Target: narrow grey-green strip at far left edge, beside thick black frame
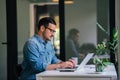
[[3, 38]]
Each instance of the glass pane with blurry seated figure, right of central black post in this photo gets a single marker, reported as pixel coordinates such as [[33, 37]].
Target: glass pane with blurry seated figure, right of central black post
[[84, 24]]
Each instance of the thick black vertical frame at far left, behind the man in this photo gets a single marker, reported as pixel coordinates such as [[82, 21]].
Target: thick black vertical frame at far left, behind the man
[[12, 51]]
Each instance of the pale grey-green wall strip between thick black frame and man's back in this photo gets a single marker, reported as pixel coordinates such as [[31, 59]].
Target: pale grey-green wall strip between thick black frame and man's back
[[23, 25]]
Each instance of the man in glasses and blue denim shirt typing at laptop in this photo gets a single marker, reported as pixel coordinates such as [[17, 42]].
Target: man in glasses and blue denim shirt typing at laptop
[[39, 53]]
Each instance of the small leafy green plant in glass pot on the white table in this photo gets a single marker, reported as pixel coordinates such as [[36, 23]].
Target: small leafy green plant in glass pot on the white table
[[99, 59]]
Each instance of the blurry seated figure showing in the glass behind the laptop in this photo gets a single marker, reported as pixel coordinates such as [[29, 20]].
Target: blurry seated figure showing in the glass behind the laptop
[[72, 44]]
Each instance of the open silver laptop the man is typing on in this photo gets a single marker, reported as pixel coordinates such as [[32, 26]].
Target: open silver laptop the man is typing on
[[82, 64]]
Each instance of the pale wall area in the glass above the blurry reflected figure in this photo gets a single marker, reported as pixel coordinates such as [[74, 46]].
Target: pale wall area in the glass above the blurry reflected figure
[[82, 15]]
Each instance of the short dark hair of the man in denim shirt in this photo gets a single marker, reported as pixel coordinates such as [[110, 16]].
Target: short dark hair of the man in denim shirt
[[45, 22]]
